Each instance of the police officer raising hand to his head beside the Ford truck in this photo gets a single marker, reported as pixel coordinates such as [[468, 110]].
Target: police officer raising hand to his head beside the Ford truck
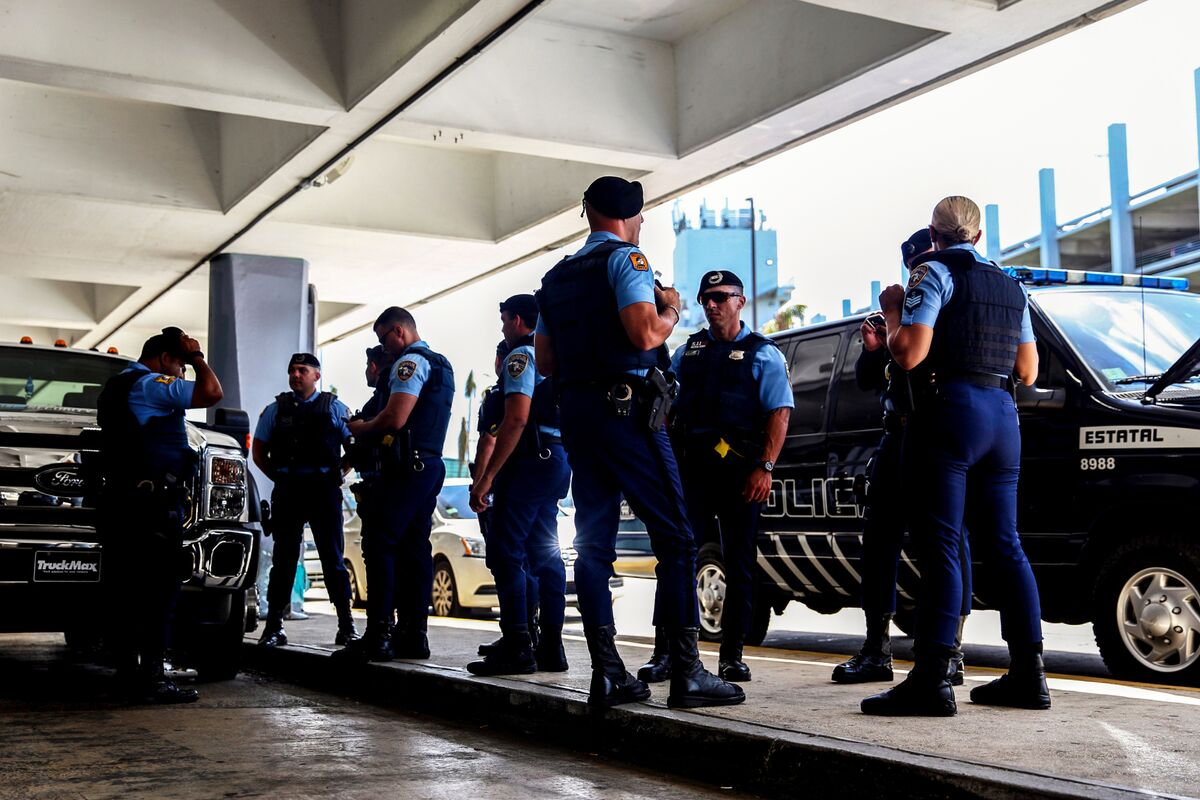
[[148, 467]]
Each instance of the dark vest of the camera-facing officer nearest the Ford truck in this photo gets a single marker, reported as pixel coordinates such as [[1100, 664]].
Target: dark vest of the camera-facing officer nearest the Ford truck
[[305, 438]]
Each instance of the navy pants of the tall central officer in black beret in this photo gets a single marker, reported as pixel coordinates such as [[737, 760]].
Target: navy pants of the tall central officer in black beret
[[611, 456]]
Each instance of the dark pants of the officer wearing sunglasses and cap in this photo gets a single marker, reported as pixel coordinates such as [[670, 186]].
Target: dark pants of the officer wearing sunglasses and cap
[[719, 514]]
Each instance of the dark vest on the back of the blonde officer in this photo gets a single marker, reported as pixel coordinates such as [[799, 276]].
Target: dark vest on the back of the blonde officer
[[980, 328]]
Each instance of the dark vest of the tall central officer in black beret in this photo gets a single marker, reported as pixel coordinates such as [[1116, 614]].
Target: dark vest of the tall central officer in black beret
[[580, 311]]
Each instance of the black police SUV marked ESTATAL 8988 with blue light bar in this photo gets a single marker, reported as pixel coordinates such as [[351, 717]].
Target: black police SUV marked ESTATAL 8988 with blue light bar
[[1111, 474]]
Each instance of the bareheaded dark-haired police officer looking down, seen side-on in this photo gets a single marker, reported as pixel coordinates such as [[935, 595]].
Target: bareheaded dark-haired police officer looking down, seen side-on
[[413, 429]]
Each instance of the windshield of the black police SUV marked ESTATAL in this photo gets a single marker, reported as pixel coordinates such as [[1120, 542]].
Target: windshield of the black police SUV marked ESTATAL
[[1107, 328]]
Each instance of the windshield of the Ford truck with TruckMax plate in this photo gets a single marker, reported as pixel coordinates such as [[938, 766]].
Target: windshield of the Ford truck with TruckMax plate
[[35, 380]]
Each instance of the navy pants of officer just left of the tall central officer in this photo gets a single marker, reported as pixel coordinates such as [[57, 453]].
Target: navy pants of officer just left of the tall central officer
[[524, 539]]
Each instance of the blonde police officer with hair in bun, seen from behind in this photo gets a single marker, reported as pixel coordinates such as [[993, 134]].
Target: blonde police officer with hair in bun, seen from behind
[[963, 328]]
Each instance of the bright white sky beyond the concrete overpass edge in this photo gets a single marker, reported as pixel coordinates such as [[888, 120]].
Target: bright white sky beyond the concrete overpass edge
[[843, 203]]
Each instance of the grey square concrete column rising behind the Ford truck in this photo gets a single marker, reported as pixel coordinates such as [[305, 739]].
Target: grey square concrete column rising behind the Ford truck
[[261, 311]]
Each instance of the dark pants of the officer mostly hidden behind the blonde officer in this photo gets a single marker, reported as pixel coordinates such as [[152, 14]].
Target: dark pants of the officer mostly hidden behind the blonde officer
[[887, 519]]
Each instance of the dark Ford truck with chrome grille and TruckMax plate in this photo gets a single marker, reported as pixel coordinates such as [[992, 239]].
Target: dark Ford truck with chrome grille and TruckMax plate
[[52, 560]]
